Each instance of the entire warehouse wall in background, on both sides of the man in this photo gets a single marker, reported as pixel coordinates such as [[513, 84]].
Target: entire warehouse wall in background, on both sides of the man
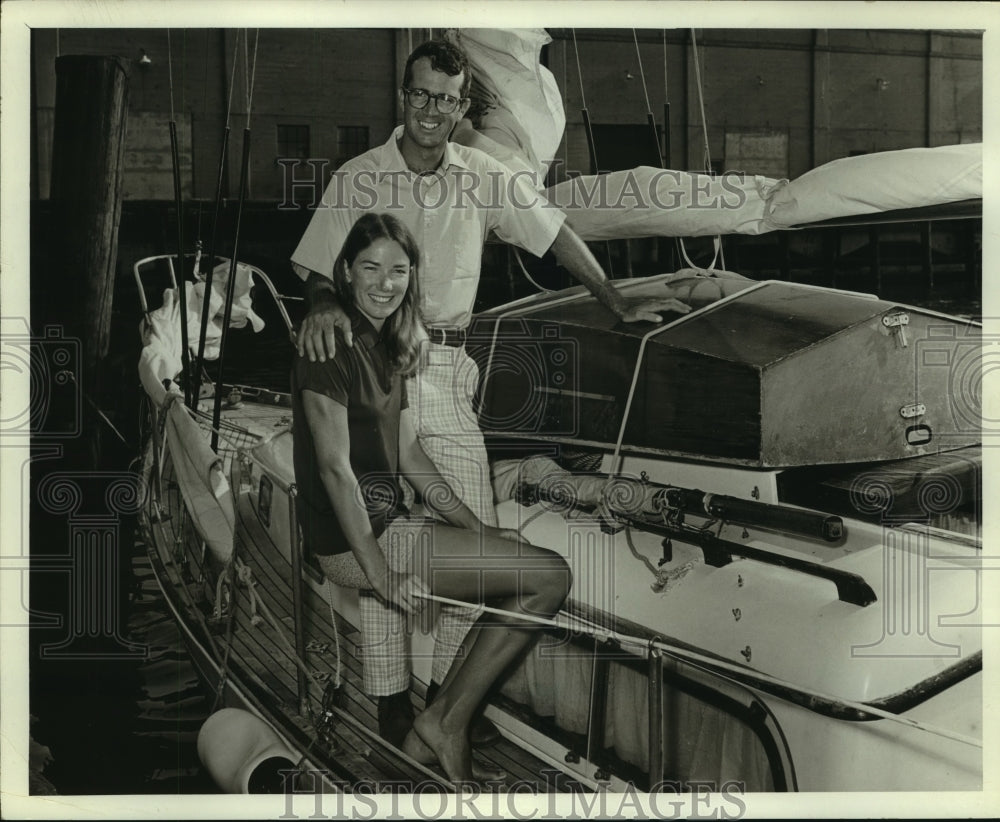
[[777, 102]]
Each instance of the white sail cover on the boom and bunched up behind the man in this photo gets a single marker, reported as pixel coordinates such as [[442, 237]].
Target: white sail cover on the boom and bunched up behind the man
[[525, 128]]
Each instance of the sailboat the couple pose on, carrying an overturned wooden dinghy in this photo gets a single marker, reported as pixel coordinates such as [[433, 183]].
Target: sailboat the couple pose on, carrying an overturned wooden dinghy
[[772, 506]]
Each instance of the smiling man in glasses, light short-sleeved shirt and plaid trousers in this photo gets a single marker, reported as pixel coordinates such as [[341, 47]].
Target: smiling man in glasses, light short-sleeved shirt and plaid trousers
[[450, 197]]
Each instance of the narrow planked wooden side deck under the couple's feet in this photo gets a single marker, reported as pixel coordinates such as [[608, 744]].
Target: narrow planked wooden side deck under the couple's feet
[[256, 648]]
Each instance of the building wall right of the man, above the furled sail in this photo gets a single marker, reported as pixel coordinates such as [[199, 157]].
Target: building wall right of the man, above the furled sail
[[820, 89]]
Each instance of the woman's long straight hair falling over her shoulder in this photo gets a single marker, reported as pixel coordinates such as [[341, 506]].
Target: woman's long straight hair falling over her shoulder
[[403, 333]]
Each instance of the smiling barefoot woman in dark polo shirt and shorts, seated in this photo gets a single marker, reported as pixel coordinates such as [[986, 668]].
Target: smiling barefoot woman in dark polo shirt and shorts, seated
[[353, 437]]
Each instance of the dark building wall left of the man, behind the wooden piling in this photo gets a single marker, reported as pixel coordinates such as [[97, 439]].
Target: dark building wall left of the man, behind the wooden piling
[[323, 78]]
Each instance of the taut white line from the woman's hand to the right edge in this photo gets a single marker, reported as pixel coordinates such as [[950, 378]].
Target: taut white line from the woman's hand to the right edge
[[713, 665]]
